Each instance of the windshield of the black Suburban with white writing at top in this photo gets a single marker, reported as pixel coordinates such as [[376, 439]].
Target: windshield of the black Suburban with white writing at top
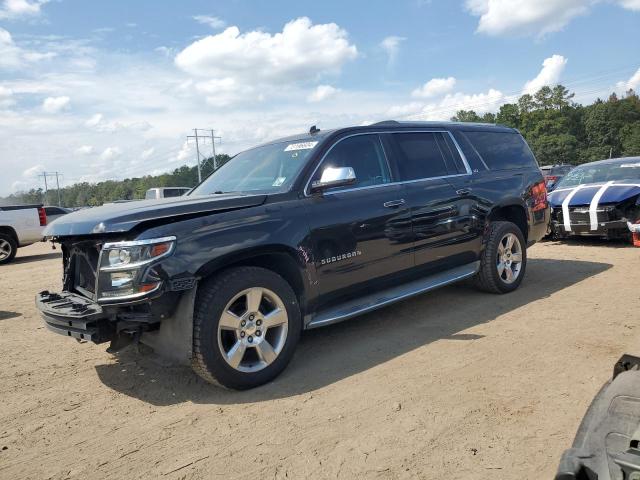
[[267, 169]]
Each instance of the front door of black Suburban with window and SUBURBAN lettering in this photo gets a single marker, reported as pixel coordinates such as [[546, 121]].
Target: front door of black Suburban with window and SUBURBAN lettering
[[360, 233]]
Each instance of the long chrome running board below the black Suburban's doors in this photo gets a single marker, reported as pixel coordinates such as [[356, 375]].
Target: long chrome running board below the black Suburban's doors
[[377, 300]]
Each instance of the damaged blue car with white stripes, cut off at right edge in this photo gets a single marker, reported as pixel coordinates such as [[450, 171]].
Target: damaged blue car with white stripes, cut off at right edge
[[599, 199]]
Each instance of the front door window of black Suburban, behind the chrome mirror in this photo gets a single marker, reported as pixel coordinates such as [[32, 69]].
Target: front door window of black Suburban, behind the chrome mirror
[[364, 154]]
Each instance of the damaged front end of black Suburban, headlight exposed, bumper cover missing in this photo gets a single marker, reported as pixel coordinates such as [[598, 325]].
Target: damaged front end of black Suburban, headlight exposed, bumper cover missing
[[114, 291]]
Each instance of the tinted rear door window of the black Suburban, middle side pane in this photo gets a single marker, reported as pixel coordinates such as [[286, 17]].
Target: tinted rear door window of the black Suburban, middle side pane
[[420, 156]]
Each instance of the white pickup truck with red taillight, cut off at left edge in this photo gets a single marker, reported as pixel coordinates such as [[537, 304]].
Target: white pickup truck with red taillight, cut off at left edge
[[20, 226]]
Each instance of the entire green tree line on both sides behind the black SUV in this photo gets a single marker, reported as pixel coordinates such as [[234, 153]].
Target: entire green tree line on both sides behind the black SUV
[[558, 130]]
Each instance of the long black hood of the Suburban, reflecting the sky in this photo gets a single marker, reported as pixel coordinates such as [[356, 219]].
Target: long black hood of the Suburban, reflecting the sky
[[122, 217]]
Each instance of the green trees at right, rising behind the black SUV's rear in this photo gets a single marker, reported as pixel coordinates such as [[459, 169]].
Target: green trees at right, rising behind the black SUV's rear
[[559, 130]]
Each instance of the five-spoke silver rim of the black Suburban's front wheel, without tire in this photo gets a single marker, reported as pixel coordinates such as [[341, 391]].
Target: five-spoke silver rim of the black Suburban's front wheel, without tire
[[252, 330]]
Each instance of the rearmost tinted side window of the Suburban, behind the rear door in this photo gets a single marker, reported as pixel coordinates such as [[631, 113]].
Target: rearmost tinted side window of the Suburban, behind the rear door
[[502, 150]]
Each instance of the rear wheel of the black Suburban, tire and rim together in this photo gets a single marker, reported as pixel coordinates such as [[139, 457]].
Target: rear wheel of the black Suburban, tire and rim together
[[504, 259]]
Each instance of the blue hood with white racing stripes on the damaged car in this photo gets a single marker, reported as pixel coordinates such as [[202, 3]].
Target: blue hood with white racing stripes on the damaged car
[[584, 194]]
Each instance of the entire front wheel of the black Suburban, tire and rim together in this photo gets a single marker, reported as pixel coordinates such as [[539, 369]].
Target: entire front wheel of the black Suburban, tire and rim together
[[246, 325]]
